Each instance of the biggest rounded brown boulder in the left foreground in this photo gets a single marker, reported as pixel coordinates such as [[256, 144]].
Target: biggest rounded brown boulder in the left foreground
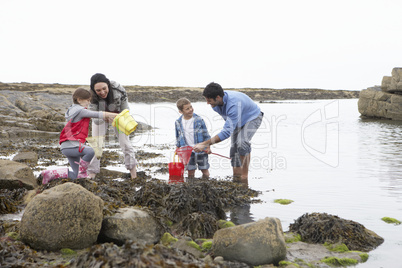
[[65, 216]]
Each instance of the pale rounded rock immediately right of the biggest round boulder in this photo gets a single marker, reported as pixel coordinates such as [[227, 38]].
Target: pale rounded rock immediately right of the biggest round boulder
[[130, 224]]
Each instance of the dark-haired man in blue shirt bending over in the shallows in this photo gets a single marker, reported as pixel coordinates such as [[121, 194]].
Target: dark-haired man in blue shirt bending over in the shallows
[[242, 119]]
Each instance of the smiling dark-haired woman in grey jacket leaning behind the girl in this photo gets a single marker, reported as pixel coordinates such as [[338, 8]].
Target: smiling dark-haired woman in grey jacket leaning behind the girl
[[110, 96]]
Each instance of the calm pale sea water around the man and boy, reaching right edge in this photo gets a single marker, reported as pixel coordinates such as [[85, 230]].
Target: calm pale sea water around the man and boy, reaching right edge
[[320, 154]]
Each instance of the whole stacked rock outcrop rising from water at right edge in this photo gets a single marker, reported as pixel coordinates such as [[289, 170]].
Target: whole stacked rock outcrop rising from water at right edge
[[383, 101]]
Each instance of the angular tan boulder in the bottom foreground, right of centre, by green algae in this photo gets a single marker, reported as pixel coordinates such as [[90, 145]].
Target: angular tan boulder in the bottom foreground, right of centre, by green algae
[[256, 243]]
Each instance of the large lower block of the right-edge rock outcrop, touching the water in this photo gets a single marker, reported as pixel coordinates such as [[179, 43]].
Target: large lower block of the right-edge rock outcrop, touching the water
[[373, 102]]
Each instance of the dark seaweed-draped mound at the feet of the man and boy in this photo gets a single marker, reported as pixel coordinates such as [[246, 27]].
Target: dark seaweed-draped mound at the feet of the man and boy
[[192, 208]]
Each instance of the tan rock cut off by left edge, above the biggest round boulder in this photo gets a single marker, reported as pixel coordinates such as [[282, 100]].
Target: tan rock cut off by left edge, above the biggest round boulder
[[14, 175]]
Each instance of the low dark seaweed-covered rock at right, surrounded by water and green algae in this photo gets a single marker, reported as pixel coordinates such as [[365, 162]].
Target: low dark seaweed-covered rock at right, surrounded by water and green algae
[[324, 228]]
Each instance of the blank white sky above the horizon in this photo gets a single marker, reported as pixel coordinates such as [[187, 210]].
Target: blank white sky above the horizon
[[259, 44]]
